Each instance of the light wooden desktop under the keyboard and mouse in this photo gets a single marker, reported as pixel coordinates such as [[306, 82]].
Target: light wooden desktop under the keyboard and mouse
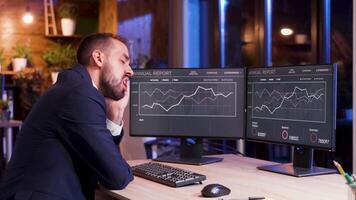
[[241, 176]]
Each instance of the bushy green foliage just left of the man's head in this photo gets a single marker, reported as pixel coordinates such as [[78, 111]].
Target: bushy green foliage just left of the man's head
[[60, 57]]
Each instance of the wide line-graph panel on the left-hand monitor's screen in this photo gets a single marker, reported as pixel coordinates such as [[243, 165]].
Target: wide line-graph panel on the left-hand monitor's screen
[[188, 99]]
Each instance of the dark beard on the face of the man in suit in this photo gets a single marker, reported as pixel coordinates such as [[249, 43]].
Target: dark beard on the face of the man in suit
[[111, 86]]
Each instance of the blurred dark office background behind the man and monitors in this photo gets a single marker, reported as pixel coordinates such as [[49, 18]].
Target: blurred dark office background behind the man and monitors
[[171, 34]]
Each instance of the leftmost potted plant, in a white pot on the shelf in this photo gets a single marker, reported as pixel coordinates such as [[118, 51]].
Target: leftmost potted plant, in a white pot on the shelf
[[21, 57]]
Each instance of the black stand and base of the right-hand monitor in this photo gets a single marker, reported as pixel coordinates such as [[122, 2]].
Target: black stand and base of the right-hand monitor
[[302, 165]]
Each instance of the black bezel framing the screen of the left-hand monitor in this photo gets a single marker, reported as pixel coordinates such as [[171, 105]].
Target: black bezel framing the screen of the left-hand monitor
[[239, 136]]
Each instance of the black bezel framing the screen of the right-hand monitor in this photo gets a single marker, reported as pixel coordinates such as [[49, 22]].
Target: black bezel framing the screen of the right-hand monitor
[[334, 88]]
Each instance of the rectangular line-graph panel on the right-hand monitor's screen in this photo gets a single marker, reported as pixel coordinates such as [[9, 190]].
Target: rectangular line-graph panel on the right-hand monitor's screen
[[294, 101]]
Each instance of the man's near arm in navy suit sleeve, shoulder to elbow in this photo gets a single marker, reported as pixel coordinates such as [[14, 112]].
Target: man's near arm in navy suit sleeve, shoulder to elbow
[[83, 122]]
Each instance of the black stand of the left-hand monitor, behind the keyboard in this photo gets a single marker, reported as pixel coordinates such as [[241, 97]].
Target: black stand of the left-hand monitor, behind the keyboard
[[191, 152]]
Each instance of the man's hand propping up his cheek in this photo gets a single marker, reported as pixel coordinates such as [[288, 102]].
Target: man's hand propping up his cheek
[[115, 109]]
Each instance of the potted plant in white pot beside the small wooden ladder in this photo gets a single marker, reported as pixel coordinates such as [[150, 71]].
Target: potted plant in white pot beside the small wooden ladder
[[68, 13]]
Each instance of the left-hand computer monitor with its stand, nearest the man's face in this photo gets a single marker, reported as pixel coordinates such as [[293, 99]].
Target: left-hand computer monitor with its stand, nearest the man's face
[[188, 103]]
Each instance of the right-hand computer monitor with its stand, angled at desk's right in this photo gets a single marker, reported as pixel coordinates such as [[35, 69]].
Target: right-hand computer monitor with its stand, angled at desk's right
[[294, 105]]
